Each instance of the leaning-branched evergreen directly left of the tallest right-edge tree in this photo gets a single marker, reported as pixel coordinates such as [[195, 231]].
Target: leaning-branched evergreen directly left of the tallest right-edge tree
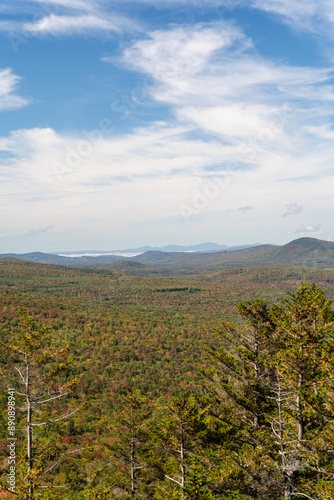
[[239, 383]]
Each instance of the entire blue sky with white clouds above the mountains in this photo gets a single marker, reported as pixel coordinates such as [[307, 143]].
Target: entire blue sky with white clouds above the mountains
[[151, 122]]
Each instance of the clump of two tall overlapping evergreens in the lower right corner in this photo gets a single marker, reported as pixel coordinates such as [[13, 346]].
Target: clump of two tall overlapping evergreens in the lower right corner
[[271, 388]]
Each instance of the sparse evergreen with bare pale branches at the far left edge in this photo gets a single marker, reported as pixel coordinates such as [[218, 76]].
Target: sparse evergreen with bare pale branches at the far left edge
[[34, 368]]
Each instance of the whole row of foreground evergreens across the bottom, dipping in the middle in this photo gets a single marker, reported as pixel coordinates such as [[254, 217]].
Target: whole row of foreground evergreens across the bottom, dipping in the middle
[[260, 425]]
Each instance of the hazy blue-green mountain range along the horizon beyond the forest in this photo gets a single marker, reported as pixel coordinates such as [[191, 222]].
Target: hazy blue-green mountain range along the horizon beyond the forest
[[304, 252]]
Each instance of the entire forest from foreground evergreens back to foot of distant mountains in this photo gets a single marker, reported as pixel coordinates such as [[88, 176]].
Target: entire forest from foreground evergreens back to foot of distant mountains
[[210, 386]]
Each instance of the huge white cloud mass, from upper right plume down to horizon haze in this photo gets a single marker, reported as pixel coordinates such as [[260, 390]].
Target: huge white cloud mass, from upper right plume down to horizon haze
[[270, 121]]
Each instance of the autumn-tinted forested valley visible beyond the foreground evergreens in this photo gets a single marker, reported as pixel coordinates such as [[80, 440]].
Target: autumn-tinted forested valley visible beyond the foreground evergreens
[[149, 329]]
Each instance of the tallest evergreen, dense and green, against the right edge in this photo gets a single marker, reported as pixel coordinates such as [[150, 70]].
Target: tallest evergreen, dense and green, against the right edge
[[304, 362]]
